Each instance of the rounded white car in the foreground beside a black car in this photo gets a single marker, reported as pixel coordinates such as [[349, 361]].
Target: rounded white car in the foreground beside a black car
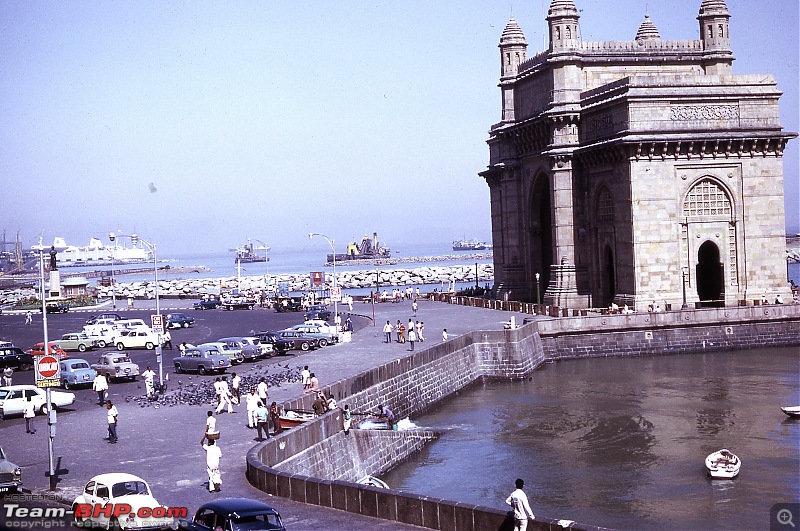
[[118, 489]]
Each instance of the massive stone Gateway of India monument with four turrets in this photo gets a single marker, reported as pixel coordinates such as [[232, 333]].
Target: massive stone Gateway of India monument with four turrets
[[628, 172]]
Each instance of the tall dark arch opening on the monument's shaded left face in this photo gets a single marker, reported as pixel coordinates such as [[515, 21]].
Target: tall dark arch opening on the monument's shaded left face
[[541, 232]]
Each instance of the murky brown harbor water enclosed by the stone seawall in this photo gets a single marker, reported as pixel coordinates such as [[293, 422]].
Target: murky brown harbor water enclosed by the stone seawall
[[621, 442]]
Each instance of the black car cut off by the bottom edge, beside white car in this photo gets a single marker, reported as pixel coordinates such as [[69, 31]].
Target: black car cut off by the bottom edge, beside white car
[[235, 514]]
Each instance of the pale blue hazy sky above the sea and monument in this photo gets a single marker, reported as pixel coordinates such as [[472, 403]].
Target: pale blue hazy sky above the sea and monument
[[200, 124]]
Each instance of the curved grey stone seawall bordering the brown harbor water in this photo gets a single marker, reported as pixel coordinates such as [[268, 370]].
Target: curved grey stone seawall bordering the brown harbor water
[[314, 464]]
